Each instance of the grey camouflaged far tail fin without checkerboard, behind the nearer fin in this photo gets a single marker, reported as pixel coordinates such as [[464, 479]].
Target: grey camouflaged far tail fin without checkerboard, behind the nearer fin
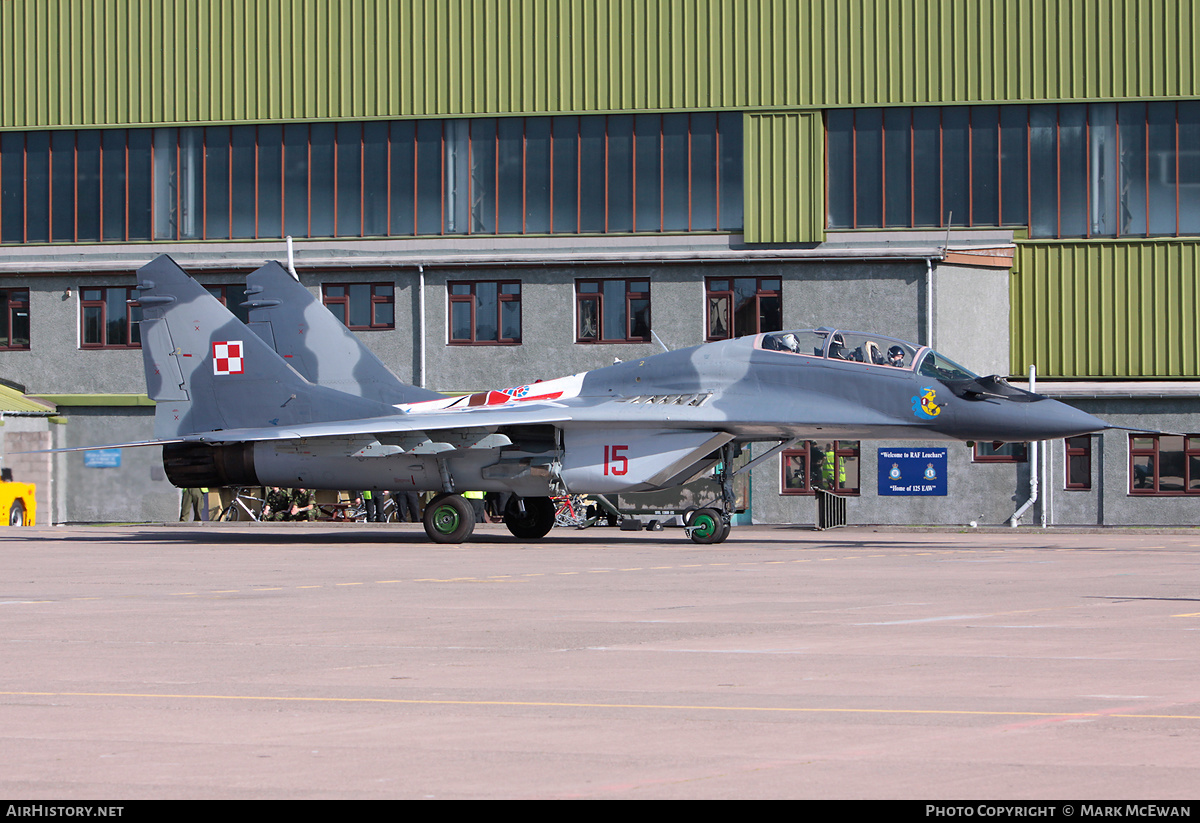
[[314, 343]]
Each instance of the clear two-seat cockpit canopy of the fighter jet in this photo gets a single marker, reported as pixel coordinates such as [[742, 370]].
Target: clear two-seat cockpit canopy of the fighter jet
[[866, 349]]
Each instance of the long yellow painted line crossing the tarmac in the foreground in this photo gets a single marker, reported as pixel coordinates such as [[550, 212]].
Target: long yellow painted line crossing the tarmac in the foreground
[[670, 707]]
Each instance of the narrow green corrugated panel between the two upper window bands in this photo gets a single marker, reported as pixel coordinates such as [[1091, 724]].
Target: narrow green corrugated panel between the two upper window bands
[[784, 178]]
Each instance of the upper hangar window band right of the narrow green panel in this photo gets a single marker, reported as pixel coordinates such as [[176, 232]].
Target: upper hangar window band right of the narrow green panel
[[1059, 170]]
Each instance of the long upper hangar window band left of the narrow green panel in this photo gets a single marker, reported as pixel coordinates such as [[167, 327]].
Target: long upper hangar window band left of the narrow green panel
[[605, 173]]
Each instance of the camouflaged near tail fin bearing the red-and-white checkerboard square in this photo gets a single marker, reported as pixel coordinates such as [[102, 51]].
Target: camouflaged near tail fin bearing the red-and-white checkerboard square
[[207, 371]]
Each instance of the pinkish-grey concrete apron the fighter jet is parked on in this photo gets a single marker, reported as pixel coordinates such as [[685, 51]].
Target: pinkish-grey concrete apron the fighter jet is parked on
[[361, 662]]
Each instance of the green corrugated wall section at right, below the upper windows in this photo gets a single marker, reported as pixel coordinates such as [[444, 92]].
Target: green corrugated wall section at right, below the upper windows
[[1107, 309]]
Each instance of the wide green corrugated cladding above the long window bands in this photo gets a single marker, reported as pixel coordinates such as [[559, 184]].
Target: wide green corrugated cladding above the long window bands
[[107, 63]]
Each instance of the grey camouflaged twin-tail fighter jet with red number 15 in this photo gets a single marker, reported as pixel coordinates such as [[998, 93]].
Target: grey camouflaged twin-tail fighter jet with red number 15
[[235, 412]]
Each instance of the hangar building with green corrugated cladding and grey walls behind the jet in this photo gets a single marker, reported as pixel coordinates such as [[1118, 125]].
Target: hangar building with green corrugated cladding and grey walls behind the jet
[[494, 191]]
